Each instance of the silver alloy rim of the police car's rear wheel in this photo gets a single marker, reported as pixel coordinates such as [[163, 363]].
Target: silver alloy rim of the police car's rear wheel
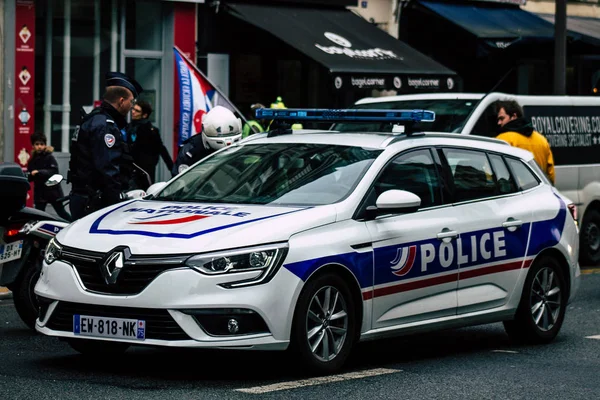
[[545, 299]]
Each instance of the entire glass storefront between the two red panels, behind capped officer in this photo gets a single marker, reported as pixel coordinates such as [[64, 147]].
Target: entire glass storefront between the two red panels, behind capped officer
[[77, 42]]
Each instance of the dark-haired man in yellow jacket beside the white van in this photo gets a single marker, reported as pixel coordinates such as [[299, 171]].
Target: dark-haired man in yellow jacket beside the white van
[[517, 131]]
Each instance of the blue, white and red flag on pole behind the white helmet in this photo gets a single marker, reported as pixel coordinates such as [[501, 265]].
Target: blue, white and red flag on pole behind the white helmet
[[197, 96]]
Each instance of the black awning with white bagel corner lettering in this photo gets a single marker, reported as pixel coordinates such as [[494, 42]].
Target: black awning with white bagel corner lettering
[[347, 44]]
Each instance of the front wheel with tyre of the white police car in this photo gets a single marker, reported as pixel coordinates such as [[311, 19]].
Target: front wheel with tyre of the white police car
[[324, 325]]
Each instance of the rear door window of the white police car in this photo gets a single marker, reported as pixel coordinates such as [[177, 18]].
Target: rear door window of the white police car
[[472, 174]]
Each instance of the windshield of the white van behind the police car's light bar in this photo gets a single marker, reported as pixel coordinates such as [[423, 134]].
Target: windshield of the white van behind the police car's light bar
[[450, 115]]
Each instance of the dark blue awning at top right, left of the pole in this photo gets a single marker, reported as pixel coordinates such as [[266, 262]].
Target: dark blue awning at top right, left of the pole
[[498, 24]]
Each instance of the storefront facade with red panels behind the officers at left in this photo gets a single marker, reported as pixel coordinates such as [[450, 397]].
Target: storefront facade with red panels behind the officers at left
[[56, 53]]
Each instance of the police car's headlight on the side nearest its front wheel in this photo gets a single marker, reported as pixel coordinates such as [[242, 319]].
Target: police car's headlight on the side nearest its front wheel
[[266, 258]]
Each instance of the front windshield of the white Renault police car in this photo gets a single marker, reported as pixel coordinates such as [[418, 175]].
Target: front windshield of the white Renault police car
[[276, 173]]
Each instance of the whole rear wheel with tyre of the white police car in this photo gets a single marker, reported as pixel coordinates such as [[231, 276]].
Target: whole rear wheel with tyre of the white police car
[[543, 303]]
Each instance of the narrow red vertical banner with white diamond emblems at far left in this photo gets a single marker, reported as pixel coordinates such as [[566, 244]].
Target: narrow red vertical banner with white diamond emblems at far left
[[24, 82]]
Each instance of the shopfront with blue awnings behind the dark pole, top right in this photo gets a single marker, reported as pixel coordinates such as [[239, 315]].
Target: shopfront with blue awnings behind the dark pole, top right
[[502, 44]]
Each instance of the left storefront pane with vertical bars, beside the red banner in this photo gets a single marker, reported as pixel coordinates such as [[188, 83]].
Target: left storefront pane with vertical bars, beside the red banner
[[77, 42]]
